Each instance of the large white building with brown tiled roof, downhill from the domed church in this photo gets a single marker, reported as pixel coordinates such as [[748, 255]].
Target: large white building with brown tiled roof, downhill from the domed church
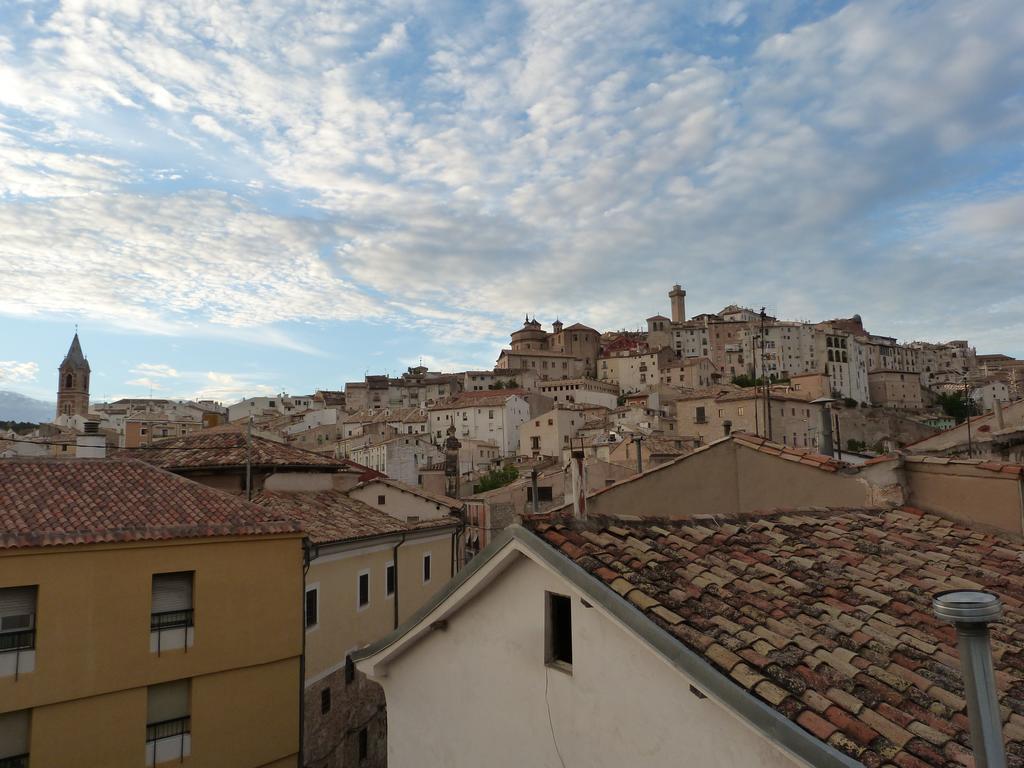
[[493, 416]]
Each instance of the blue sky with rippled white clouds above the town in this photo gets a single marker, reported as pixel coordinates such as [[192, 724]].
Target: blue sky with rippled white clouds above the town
[[233, 199]]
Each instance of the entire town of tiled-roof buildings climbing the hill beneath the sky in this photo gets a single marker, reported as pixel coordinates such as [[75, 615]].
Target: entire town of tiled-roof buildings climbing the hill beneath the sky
[[729, 507]]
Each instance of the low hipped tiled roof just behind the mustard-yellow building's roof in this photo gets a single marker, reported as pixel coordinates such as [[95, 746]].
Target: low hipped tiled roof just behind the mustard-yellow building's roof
[[226, 447]]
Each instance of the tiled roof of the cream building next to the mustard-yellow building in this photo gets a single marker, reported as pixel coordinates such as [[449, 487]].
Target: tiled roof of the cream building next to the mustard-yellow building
[[334, 517]]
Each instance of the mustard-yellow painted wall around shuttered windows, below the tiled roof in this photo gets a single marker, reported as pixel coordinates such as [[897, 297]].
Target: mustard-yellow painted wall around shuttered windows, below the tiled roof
[[93, 650]]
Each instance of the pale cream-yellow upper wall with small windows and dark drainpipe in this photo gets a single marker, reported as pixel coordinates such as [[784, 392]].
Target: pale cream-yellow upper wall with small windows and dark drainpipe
[[342, 628]]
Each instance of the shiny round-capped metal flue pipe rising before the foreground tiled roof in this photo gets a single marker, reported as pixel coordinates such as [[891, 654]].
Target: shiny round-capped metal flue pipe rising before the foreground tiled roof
[[971, 612]]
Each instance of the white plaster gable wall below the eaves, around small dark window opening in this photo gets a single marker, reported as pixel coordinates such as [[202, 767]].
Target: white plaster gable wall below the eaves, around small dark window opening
[[474, 695]]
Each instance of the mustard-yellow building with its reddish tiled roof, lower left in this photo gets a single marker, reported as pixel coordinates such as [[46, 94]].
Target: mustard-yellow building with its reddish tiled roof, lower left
[[144, 619]]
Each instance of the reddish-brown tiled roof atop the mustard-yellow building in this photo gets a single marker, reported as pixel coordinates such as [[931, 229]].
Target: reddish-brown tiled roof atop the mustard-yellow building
[[50, 502]]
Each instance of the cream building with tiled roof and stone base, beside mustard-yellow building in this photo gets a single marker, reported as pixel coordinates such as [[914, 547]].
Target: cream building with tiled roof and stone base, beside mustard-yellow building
[[368, 573]]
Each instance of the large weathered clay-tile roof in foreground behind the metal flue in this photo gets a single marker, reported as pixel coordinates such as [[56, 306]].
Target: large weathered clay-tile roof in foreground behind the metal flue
[[826, 616]]
